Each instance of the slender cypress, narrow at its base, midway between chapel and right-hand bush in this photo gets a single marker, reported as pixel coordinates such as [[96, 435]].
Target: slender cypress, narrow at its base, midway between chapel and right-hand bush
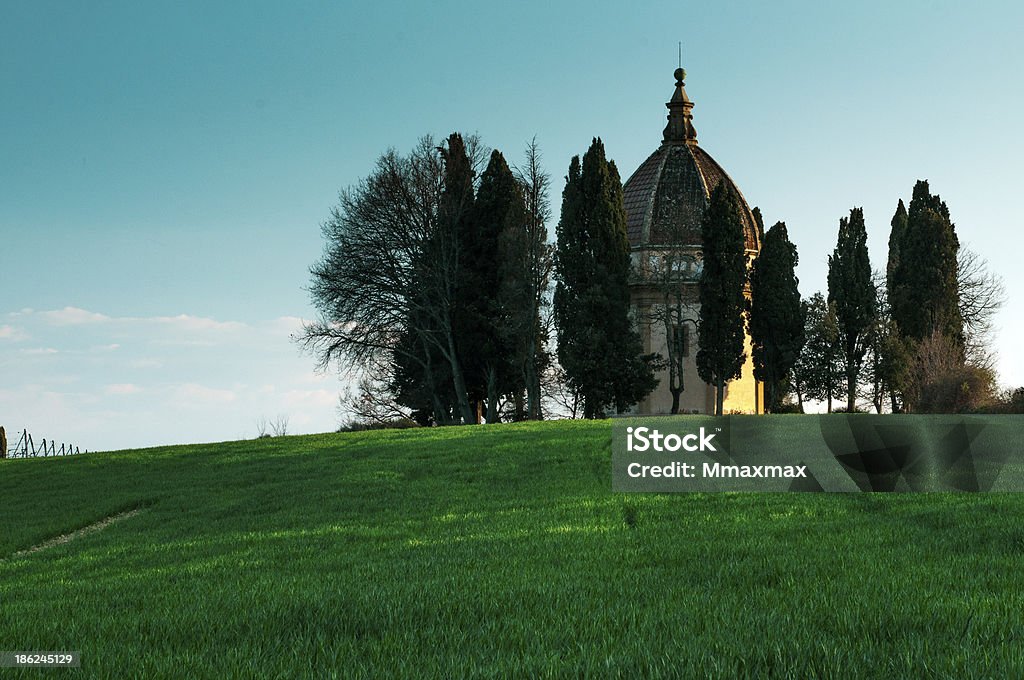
[[851, 291]]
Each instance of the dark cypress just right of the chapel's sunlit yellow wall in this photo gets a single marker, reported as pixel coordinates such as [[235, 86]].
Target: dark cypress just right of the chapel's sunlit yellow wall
[[777, 321]]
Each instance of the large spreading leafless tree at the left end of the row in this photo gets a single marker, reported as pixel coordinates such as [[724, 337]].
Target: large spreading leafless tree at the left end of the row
[[391, 269]]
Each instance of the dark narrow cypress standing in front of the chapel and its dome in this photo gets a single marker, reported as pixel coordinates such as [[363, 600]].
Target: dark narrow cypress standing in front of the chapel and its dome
[[720, 358]]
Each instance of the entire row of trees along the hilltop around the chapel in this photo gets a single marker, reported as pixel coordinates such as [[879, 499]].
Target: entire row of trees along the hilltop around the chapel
[[437, 285]]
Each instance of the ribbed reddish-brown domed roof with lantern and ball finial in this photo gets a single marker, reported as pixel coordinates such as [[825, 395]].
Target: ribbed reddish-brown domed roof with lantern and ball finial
[[668, 195]]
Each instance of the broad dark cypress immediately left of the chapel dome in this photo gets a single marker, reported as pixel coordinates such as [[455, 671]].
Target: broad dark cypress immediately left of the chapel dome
[[599, 346]]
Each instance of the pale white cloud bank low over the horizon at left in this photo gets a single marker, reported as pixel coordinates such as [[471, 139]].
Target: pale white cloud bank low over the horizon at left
[[101, 380]]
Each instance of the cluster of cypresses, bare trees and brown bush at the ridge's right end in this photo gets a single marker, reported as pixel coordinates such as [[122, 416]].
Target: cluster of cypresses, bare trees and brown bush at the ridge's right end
[[914, 338]]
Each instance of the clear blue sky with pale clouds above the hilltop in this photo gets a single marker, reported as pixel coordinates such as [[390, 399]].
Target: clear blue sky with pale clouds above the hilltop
[[165, 167]]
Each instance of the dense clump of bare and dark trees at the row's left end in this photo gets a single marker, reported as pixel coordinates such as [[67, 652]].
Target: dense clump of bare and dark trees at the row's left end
[[434, 282]]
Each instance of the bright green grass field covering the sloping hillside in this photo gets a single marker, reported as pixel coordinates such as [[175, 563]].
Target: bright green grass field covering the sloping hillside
[[489, 551]]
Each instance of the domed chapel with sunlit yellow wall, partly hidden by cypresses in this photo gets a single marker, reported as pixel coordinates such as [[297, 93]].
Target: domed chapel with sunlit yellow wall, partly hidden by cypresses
[[666, 200]]
